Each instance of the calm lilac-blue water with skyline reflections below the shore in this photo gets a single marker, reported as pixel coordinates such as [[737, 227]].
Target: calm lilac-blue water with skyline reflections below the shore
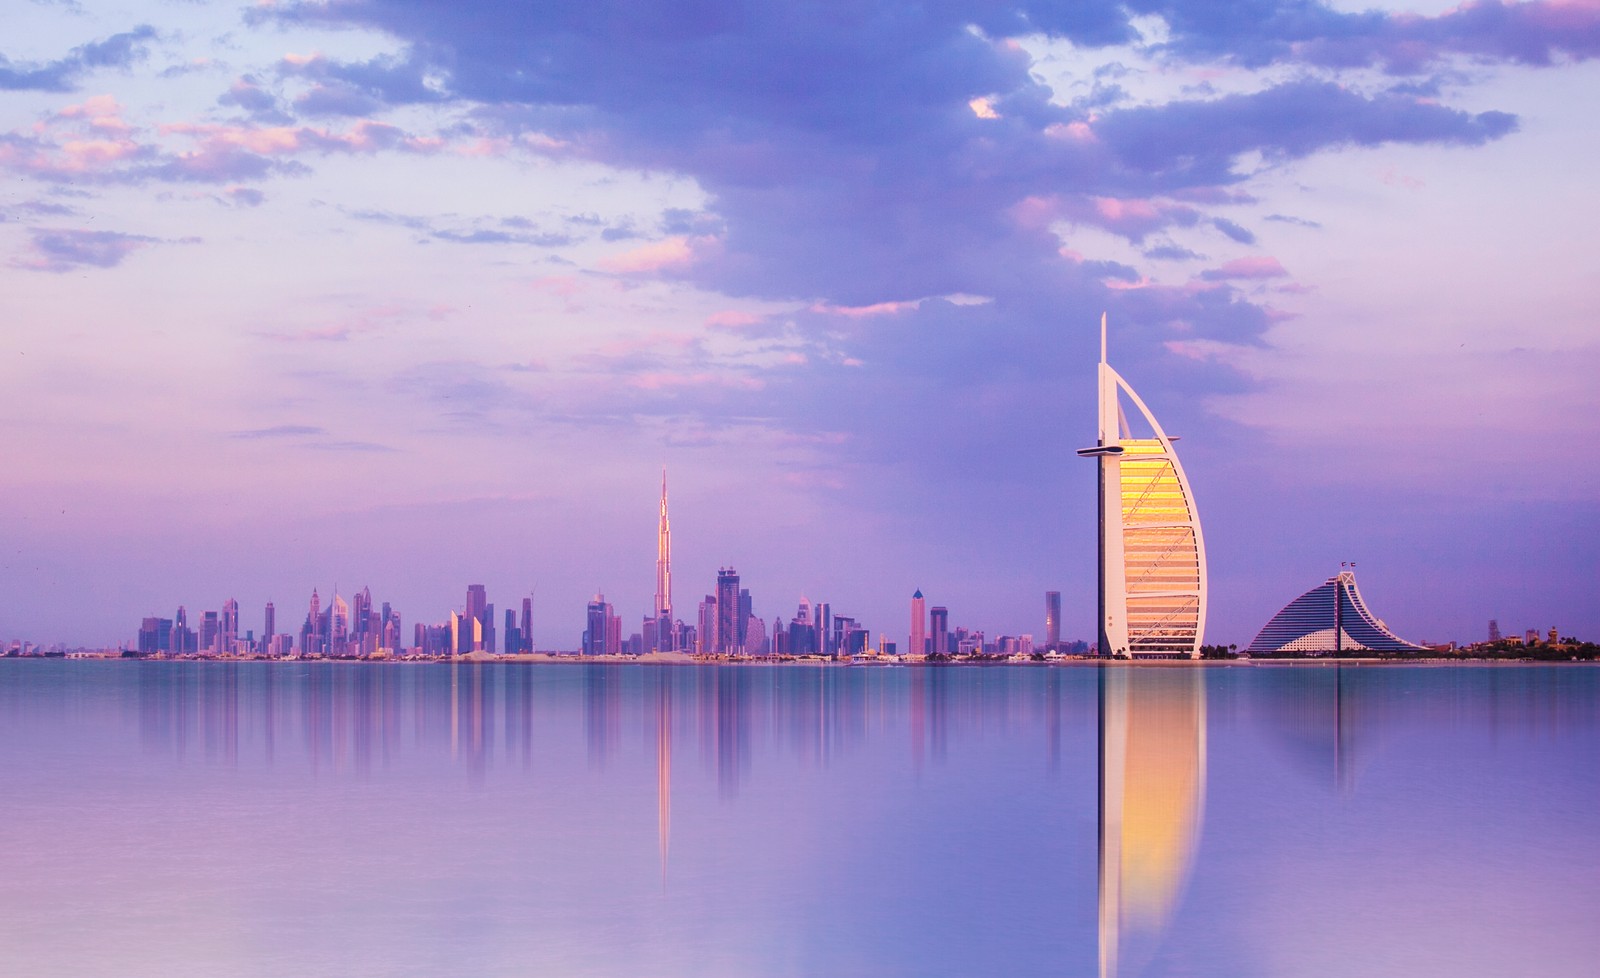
[[306, 820]]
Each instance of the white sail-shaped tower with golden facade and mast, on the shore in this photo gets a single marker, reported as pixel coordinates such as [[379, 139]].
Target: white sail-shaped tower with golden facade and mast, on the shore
[[1153, 580]]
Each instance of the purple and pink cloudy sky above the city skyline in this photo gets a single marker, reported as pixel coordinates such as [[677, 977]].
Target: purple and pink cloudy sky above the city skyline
[[414, 295]]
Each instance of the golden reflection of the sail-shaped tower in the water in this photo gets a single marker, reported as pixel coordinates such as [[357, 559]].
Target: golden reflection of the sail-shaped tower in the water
[[1153, 798]]
